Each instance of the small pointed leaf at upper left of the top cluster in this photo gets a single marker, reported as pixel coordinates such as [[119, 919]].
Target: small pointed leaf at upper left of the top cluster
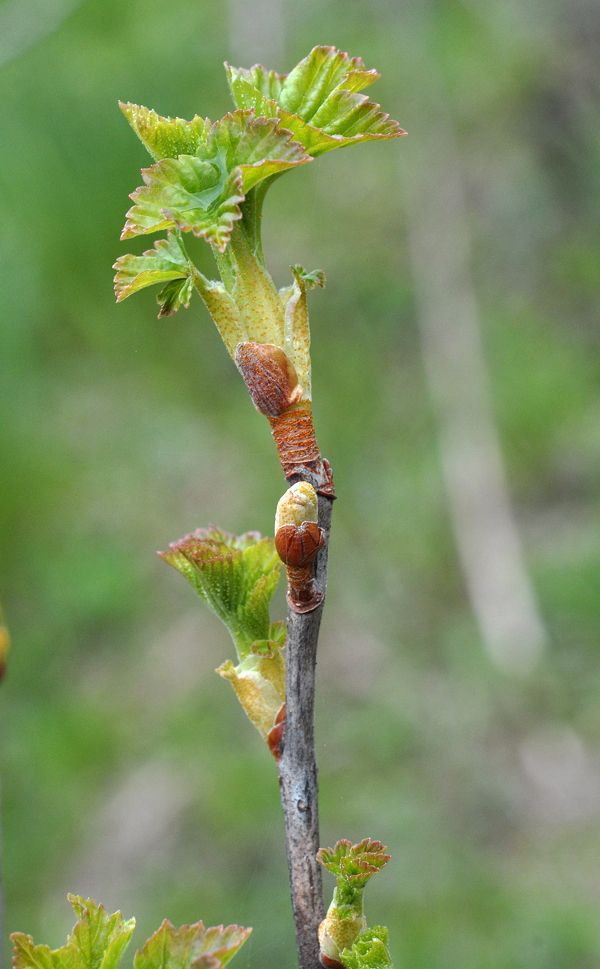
[[166, 137]]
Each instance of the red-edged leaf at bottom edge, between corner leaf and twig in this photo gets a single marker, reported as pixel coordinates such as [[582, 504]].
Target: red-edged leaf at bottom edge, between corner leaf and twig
[[190, 946]]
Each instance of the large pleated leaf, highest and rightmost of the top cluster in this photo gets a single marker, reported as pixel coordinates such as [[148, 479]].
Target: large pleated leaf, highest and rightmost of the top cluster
[[318, 101]]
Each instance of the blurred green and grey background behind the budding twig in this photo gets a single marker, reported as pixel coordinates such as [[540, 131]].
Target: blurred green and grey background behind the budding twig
[[456, 378]]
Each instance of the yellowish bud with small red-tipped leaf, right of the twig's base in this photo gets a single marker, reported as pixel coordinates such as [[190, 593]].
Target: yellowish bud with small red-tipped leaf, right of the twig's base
[[353, 866]]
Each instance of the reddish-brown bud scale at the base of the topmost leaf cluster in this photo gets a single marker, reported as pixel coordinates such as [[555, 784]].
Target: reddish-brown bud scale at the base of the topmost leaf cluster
[[270, 377]]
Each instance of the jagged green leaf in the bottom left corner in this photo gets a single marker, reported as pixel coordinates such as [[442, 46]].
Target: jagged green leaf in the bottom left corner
[[97, 941]]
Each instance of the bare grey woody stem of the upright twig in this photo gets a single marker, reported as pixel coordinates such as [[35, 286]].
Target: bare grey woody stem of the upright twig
[[298, 768]]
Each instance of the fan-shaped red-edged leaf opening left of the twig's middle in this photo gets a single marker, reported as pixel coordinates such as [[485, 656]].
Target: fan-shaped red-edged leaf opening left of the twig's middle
[[235, 575]]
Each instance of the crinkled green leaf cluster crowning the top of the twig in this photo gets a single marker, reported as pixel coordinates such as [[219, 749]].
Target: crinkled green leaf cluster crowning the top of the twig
[[209, 177]]
